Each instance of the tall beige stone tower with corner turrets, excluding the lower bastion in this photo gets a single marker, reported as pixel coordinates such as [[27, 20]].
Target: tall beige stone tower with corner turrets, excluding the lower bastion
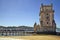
[[47, 22]]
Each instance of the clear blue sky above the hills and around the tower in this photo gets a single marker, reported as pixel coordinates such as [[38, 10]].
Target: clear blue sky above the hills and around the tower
[[25, 12]]
